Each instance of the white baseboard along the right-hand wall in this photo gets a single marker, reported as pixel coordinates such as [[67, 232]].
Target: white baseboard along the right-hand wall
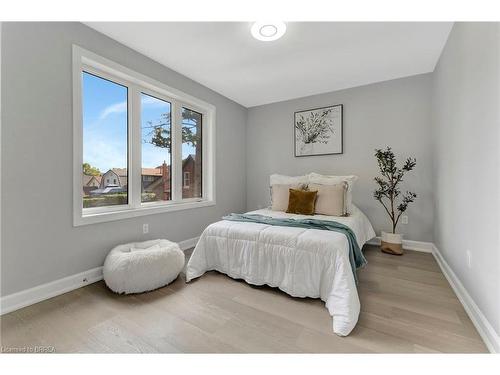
[[483, 326]]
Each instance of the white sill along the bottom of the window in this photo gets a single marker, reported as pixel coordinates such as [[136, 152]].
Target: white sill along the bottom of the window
[[145, 209]]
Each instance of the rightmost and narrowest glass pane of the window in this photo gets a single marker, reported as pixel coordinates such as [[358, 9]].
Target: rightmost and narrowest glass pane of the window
[[191, 153]]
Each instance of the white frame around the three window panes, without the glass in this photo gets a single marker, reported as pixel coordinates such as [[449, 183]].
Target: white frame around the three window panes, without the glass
[[136, 83]]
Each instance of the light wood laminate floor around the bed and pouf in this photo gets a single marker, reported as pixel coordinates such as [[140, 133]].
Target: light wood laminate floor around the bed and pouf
[[407, 306]]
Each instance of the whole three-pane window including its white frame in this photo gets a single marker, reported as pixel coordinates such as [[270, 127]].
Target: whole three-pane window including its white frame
[[148, 148]]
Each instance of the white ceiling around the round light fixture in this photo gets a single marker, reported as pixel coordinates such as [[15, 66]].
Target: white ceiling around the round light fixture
[[311, 58]]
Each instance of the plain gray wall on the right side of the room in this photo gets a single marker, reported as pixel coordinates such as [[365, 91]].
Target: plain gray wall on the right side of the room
[[466, 160]]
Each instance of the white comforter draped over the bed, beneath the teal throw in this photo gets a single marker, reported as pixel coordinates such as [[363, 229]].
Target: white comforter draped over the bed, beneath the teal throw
[[301, 262]]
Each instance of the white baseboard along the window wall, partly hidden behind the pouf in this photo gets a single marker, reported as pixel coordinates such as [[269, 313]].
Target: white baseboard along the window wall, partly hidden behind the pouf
[[55, 288]]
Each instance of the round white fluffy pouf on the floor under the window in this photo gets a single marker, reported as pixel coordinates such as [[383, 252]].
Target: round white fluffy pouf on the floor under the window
[[142, 266]]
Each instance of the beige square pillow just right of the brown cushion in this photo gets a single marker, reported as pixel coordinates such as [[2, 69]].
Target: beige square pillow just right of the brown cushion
[[331, 199]]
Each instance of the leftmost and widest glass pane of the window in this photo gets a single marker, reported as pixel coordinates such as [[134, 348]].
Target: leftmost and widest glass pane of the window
[[105, 139]]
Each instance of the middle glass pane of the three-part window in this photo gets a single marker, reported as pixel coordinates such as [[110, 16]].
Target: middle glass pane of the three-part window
[[156, 154]]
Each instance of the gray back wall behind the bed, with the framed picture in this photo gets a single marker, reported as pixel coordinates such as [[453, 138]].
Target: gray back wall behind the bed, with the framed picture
[[393, 113]]
